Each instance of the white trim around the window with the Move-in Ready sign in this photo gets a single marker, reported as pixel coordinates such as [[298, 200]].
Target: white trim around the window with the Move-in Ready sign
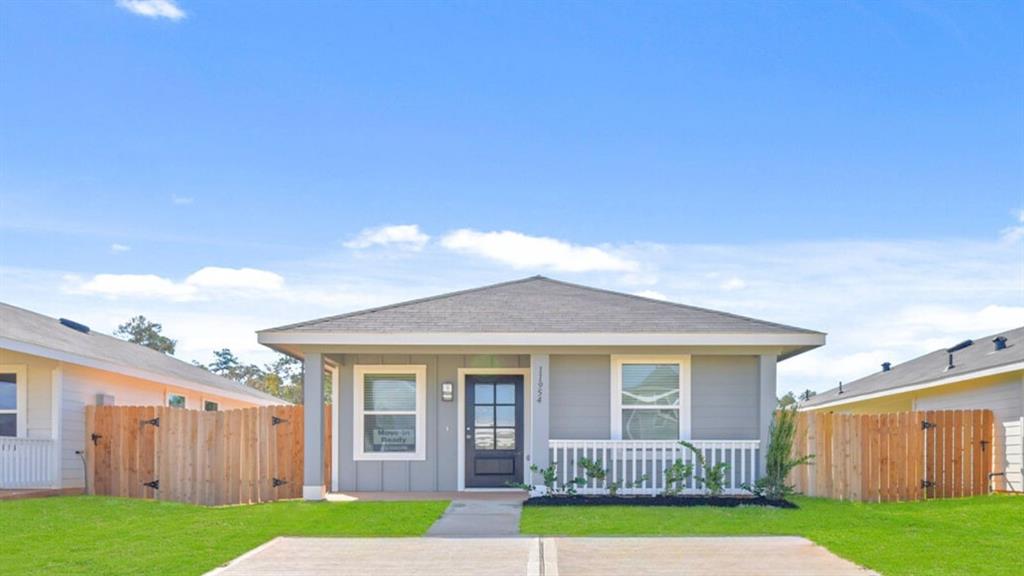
[[359, 374]]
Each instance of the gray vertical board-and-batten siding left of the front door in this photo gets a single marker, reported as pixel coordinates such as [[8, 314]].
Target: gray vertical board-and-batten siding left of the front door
[[439, 471]]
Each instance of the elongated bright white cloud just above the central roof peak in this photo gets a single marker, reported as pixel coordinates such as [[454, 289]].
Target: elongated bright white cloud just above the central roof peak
[[522, 252]]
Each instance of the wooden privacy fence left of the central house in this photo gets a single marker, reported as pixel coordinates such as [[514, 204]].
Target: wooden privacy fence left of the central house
[[211, 459]]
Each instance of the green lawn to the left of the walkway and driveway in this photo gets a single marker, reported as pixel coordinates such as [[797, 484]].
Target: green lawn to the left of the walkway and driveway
[[99, 536]]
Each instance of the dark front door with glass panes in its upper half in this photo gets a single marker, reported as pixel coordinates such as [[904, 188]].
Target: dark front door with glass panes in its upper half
[[494, 431]]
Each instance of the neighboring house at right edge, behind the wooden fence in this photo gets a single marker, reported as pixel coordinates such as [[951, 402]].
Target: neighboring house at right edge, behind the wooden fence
[[974, 375]]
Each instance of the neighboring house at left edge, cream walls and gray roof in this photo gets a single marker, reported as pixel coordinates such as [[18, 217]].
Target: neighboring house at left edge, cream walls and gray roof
[[51, 369]]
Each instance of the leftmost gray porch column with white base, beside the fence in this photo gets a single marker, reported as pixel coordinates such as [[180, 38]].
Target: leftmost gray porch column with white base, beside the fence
[[313, 402]]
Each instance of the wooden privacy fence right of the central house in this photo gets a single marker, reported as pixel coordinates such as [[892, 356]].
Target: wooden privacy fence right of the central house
[[899, 457]]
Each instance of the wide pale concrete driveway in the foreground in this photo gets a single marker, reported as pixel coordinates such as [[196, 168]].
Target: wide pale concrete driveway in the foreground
[[781, 556]]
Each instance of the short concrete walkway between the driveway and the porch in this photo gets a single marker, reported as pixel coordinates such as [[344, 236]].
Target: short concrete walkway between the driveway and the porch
[[479, 519]]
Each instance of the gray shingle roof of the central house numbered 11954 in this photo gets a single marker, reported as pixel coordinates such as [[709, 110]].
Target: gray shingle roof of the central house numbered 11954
[[540, 305]]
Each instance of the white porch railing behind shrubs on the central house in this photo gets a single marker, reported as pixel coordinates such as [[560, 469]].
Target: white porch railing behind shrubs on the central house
[[639, 467]]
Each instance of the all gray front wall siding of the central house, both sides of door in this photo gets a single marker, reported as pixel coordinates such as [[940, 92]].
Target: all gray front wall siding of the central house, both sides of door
[[724, 396]]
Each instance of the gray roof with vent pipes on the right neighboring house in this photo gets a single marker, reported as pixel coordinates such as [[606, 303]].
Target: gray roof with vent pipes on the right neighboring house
[[979, 359]]
